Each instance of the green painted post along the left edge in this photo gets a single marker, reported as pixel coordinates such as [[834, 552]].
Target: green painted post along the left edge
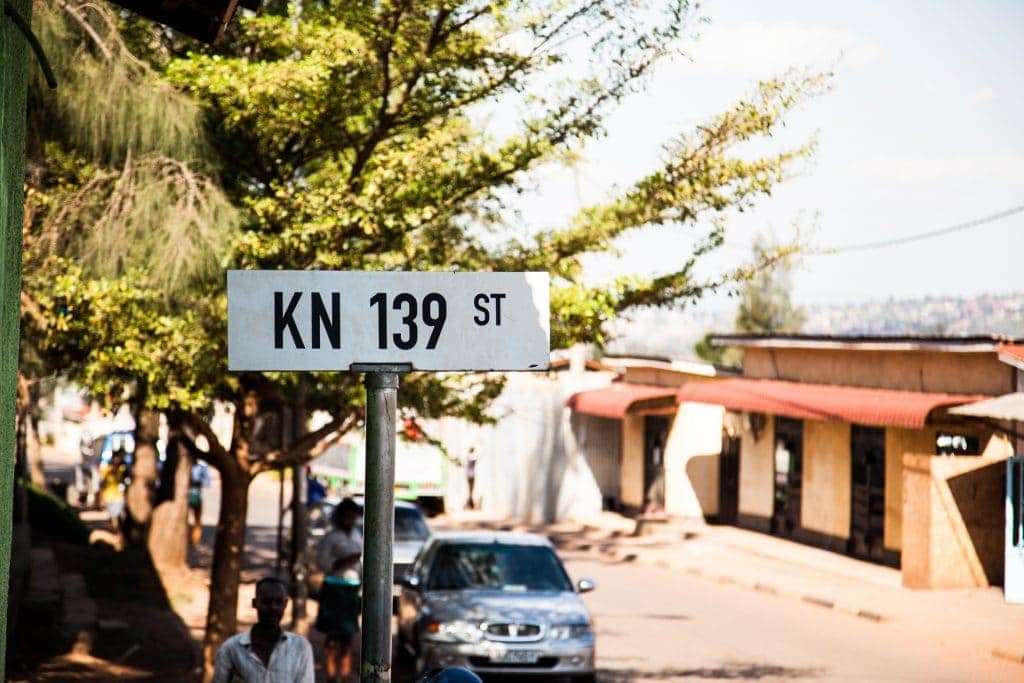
[[14, 84]]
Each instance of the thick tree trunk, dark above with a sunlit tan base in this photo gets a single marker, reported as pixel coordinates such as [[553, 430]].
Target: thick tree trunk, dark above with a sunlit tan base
[[168, 532]]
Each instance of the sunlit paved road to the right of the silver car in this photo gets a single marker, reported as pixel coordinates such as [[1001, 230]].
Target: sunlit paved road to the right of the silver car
[[657, 625]]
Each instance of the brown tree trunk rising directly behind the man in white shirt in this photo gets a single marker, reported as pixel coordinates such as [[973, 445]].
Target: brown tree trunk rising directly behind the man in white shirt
[[222, 620]]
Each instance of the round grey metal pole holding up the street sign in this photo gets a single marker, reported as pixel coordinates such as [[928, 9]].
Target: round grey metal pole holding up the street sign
[[378, 521]]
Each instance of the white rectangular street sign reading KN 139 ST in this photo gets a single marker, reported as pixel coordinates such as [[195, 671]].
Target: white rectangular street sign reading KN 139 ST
[[330, 320]]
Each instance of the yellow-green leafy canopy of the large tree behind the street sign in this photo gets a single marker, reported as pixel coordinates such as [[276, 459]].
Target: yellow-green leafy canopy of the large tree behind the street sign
[[358, 136]]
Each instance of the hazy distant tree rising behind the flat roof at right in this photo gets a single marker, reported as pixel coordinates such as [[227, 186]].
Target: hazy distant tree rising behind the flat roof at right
[[765, 305]]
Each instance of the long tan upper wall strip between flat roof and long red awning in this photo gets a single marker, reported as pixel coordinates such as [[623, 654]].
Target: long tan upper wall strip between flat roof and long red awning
[[908, 371]]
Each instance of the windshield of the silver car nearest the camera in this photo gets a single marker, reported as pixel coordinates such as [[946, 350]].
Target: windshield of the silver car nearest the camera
[[497, 567]]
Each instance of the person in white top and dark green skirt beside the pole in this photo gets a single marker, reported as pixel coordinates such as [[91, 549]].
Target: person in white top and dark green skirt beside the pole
[[339, 557]]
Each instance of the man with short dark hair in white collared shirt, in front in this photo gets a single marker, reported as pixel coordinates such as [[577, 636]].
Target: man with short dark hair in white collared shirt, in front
[[267, 654]]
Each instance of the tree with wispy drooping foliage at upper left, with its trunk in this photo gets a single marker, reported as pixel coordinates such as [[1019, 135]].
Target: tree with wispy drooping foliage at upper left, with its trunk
[[118, 182]]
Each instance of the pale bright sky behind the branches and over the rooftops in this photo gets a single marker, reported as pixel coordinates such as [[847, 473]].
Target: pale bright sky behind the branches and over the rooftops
[[923, 130]]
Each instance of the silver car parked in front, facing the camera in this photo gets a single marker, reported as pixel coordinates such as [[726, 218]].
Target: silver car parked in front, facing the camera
[[496, 604]]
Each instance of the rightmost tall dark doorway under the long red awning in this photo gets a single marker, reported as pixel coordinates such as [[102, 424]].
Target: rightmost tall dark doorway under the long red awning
[[868, 493]]
